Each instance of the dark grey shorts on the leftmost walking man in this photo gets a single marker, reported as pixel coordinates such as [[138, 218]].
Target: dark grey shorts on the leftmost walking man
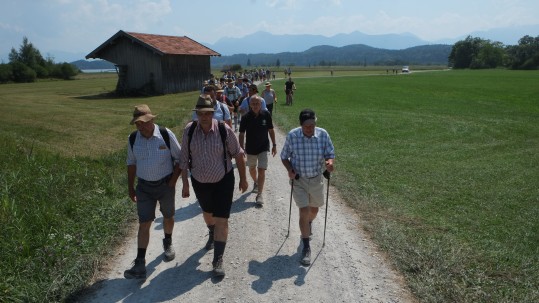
[[147, 197]]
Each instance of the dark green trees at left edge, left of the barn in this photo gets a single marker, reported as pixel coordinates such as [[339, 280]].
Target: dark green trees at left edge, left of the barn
[[28, 65]]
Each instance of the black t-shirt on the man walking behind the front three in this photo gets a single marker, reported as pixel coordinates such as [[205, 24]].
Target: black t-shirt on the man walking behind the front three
[[256, 131]]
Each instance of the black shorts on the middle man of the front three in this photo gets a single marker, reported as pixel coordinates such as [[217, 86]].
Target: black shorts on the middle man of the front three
[[216, 198]]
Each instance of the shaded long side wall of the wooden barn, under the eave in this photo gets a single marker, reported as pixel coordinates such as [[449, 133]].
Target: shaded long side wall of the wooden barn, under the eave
[[184, 73]]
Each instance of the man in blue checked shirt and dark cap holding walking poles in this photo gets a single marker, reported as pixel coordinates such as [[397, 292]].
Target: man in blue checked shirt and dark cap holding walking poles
[[307, 152]]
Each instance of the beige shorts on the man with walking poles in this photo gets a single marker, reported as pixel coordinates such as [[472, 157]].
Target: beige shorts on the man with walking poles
[[309, 191]]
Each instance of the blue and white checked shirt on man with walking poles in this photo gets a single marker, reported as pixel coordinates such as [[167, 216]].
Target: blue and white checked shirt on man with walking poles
[[307, 155]]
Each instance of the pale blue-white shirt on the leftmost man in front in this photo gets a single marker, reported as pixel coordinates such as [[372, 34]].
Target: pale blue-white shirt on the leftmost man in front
[[152, 156]]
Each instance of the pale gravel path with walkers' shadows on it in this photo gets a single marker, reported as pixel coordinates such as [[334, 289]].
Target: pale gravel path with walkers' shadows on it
[[261, 263]]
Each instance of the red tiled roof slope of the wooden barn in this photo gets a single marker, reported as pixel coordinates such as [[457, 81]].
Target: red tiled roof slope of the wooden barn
[[173, 45]]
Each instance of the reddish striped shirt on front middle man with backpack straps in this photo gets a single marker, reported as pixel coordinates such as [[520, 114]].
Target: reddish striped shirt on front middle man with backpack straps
[[207, 152]]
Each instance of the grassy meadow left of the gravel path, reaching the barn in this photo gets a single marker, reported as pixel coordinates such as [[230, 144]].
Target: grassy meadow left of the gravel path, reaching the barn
[[63, 193]]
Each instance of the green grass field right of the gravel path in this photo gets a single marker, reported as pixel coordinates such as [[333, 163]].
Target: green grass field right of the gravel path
[[444, 169]]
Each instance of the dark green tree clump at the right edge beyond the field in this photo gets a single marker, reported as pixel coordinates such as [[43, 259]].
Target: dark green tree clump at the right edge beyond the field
[[476, 53]]
